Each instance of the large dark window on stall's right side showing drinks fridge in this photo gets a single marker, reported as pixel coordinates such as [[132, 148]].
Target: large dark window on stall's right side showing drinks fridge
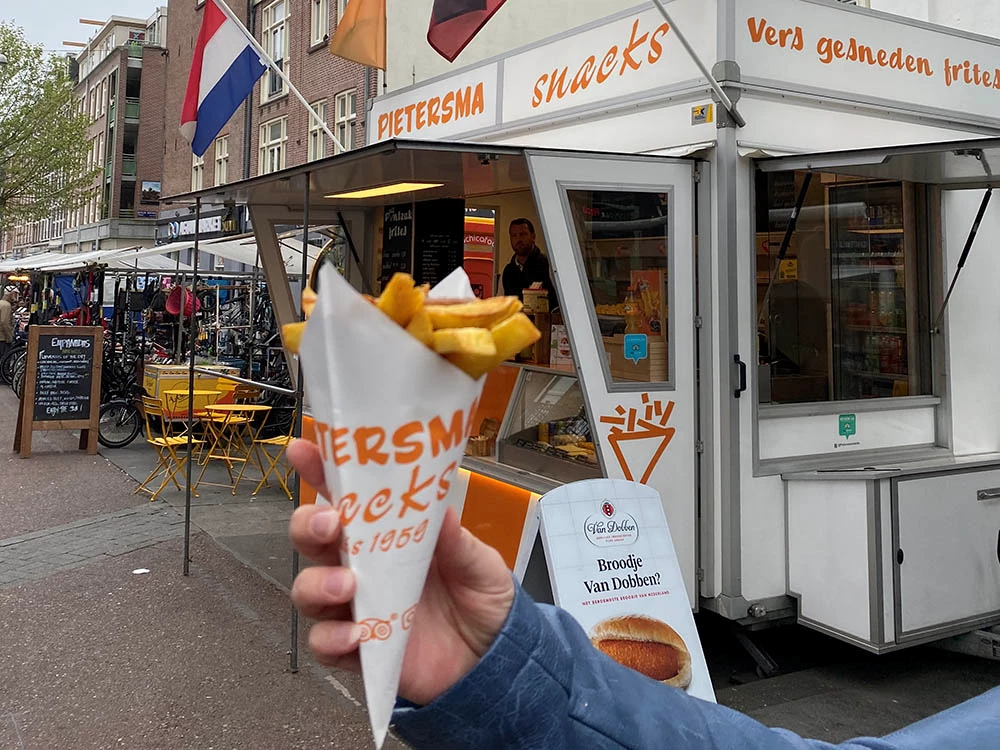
[[844, 314]]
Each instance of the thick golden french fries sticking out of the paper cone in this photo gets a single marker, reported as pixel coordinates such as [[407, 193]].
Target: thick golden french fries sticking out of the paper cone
[[475, 336]]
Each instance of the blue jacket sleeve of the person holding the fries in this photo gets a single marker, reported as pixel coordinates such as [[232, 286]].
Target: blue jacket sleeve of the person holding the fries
[[542, 685]]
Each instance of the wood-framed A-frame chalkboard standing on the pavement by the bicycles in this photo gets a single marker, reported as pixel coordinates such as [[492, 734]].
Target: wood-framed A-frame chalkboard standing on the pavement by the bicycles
[[62, 384]]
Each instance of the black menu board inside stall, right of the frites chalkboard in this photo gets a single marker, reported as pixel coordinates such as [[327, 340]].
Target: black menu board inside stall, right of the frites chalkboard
[[439, 239]]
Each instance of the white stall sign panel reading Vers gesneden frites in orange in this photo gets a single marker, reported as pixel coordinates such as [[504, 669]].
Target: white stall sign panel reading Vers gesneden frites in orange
[[809, 46]]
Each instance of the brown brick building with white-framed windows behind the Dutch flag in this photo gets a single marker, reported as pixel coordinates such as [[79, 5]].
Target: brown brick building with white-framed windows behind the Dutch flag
[[296, 32]]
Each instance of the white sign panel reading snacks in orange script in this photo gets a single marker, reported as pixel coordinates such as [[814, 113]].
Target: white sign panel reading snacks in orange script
[[628, 56]]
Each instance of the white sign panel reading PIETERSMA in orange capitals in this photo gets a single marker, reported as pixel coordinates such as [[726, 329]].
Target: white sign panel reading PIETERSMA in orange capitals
[[456, 104]]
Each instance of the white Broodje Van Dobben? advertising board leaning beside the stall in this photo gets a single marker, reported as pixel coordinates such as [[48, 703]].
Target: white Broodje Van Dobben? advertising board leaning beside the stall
[[613, 567]]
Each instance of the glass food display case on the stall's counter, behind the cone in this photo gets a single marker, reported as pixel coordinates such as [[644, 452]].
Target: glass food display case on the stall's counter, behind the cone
[[546, 430]]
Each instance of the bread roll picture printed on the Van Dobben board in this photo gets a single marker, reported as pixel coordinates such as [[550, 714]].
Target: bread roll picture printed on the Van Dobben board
[[647, 645]]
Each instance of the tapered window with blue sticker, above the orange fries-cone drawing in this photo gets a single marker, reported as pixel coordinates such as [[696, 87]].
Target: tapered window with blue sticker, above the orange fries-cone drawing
[[624, 244]]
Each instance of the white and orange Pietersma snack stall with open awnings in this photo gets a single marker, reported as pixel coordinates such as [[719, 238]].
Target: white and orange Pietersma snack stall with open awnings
[[751, 318]]
